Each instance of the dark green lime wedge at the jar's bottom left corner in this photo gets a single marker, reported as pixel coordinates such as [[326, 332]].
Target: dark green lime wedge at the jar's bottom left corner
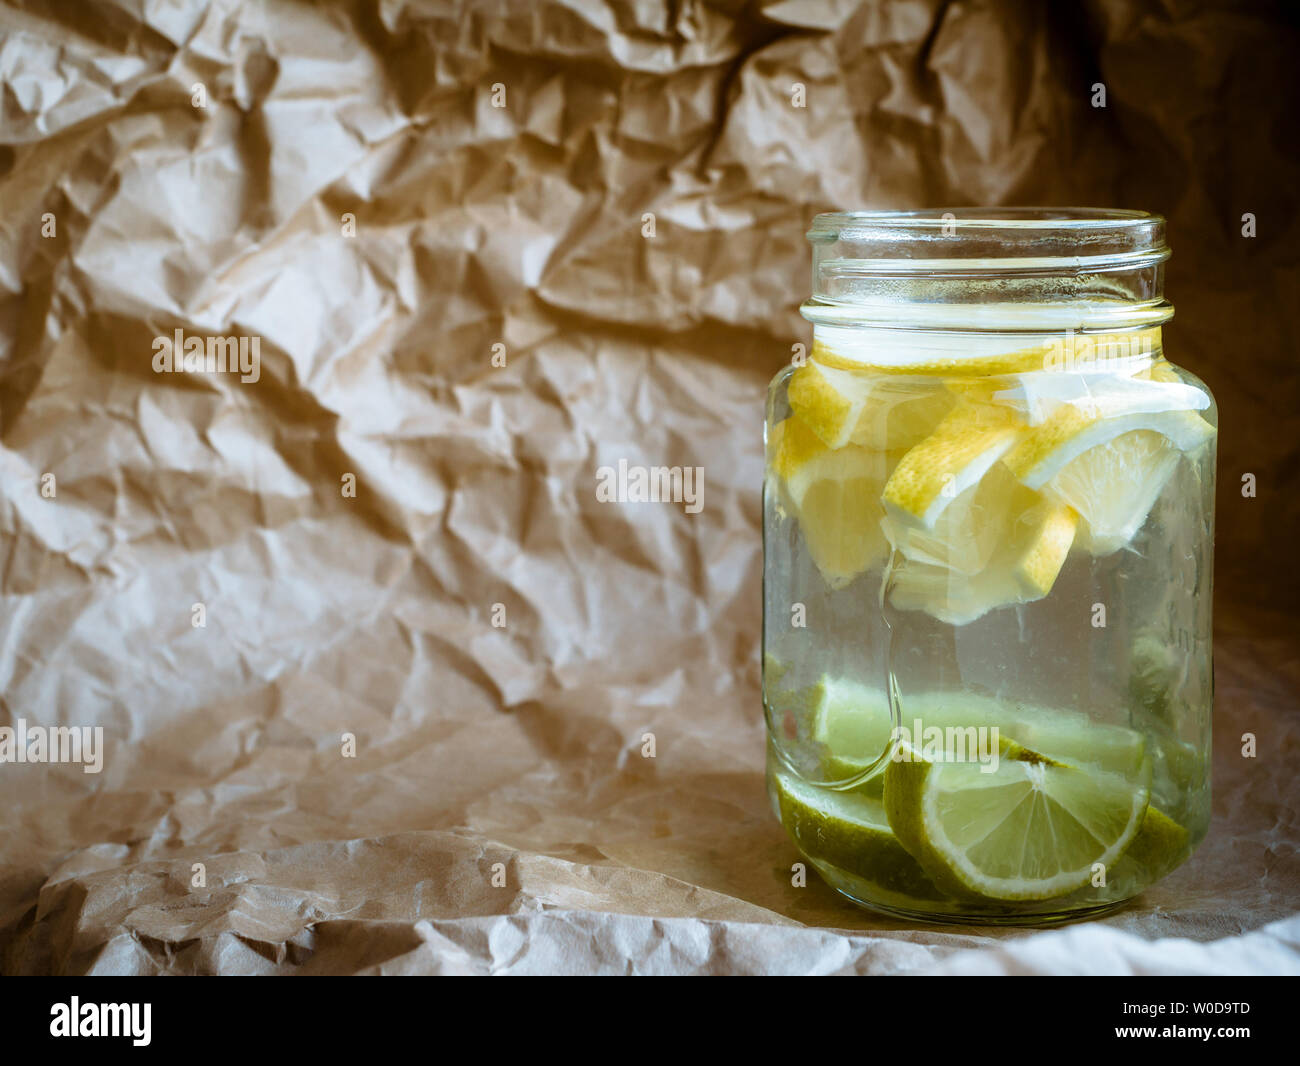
[[851, 831]]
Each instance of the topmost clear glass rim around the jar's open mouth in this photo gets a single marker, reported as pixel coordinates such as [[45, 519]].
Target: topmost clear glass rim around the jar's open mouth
[[985, 241]]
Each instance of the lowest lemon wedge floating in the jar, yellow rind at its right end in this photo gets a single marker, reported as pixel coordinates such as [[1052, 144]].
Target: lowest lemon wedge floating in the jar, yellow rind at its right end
[[1022, 570]]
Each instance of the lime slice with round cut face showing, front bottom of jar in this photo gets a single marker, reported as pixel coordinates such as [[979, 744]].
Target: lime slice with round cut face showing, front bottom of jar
[[1032, 830]]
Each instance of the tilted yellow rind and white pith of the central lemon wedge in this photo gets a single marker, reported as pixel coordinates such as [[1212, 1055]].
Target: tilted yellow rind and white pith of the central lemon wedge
[[961, 450]]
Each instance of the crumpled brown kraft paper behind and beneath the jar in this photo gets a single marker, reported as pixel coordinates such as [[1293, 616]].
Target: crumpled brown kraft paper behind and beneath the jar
[[519, 231]]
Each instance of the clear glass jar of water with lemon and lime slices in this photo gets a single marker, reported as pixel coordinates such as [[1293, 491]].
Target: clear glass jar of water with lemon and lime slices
[[989, 519]]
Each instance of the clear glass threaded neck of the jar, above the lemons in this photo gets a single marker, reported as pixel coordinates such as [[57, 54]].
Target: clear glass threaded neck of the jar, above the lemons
[[1013, 271]]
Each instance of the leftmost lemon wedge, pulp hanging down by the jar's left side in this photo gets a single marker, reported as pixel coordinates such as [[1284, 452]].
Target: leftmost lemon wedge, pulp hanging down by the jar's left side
[[835, 495]]
